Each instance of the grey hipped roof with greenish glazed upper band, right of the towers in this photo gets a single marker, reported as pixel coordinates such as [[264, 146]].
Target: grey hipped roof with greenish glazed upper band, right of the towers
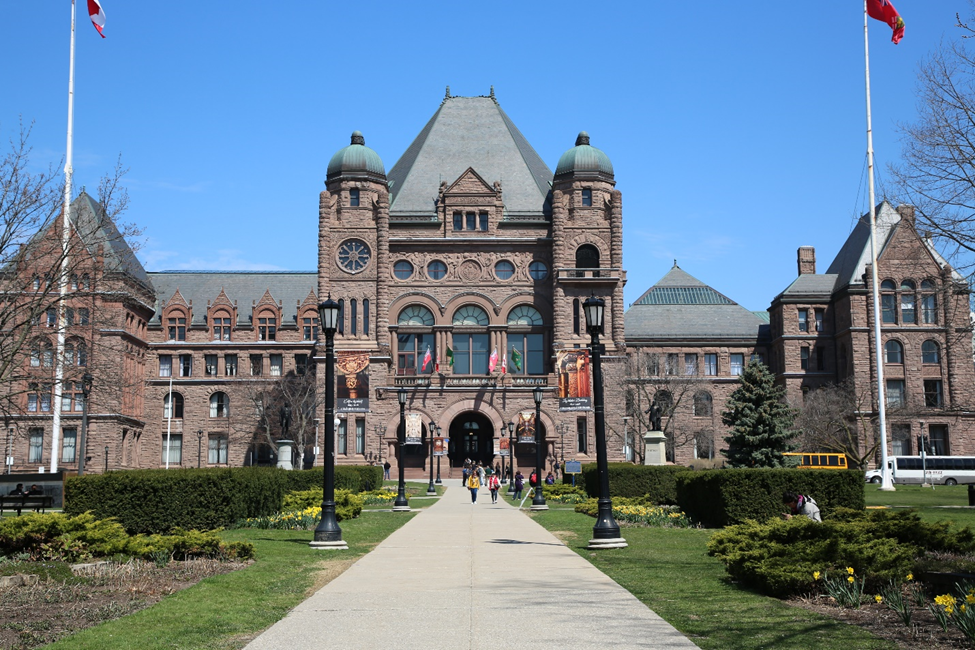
[[681, 307]]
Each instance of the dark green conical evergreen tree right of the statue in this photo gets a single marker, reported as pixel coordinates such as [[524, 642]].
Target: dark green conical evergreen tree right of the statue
[[760, 421]]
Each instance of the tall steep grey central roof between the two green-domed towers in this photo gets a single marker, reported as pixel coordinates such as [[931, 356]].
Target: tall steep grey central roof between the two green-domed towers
[[469, 132]]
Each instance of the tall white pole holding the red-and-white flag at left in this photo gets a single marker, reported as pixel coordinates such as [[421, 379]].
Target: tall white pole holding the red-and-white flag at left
[[63, 276]]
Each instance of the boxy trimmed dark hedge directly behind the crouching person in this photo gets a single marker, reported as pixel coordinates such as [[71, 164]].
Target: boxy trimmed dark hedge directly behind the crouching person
[[718, 498]]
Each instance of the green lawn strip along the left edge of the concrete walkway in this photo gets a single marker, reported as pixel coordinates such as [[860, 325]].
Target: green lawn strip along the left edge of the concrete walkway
[[227, 611]]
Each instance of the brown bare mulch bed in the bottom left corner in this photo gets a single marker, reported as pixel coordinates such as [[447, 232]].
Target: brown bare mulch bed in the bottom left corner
[[38, 614]]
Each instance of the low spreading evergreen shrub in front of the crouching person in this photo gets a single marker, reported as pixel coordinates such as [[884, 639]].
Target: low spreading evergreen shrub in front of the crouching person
[[780, 558]]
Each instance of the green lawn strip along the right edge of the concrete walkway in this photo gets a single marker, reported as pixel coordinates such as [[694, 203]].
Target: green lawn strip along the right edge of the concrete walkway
[[669, 570]]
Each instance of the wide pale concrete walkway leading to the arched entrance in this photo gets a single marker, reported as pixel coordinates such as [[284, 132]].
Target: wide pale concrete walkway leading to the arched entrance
[[460, 576]]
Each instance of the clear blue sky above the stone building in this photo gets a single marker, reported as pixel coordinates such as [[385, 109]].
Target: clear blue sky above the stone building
[[736, 129]]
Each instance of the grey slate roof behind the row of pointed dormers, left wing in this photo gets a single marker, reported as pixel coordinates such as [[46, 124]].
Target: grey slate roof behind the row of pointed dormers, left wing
[[246, 287]]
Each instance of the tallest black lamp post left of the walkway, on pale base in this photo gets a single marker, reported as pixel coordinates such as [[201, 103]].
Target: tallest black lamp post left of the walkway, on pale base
[[328, 535]]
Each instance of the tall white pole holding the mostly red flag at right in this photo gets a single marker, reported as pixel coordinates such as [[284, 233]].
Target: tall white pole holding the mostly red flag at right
[[886, 484]]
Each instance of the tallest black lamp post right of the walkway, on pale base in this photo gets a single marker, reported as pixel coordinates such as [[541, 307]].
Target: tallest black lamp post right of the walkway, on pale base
[[606, 532]]
